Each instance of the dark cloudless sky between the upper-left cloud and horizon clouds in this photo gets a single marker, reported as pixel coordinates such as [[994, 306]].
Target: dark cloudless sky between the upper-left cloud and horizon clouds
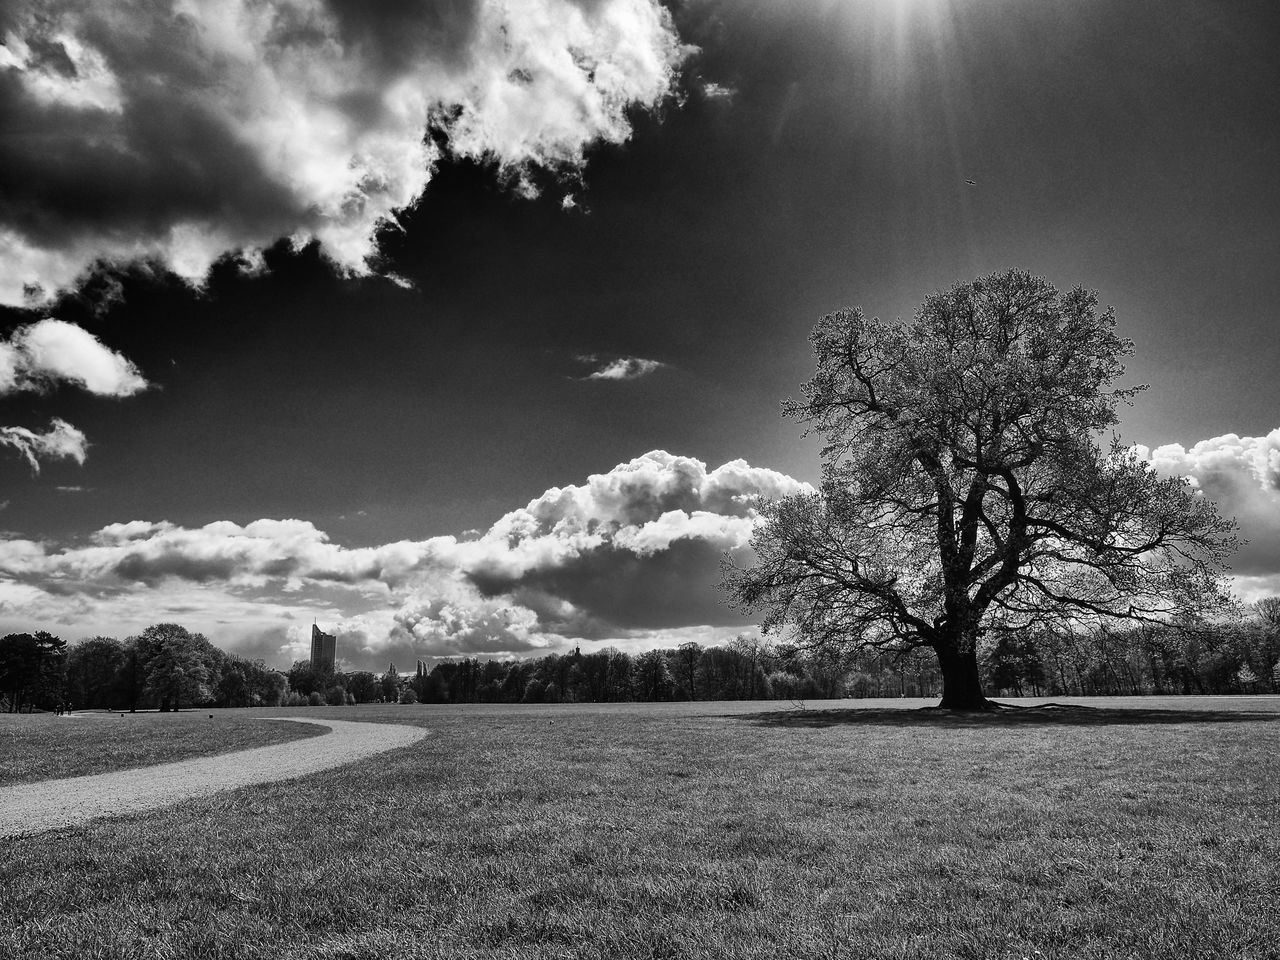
[[816, 156]]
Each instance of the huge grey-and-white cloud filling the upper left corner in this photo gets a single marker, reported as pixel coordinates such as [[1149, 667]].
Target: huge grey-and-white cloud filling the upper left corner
[[177, 132]]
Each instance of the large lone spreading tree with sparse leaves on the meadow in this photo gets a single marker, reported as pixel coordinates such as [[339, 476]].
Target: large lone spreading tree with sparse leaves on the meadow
[[966, 487]]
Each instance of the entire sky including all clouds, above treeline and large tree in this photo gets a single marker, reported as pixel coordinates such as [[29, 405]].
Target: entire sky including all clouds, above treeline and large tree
[[461, 327]]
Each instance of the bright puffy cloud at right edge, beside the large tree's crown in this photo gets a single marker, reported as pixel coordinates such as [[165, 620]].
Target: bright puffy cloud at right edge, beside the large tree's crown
[[1242, 476]]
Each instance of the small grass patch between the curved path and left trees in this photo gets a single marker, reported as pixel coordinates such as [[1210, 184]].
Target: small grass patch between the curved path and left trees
[[47, 747]]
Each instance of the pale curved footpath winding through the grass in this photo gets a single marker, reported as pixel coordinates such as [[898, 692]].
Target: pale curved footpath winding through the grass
[[35, 808]]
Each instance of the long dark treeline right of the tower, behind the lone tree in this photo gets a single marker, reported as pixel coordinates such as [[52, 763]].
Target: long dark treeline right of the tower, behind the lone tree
[[1240, 657]]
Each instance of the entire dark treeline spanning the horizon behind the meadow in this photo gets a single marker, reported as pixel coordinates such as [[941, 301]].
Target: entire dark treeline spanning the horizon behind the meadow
[[168, 668]]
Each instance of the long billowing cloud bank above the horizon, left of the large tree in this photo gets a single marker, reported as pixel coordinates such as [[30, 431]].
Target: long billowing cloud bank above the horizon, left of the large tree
[[632, 550]]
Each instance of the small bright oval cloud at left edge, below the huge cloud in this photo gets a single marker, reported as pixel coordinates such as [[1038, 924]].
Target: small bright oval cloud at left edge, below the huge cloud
[[54, 351]]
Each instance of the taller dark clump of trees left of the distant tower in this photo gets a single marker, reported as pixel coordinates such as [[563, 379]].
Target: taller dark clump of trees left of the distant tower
[[164, 668]]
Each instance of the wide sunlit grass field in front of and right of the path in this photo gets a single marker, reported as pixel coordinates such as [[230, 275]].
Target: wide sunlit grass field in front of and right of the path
[[702, 831]]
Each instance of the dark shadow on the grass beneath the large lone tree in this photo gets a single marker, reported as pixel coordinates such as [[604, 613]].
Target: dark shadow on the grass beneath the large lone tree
[[1007, 716]]
